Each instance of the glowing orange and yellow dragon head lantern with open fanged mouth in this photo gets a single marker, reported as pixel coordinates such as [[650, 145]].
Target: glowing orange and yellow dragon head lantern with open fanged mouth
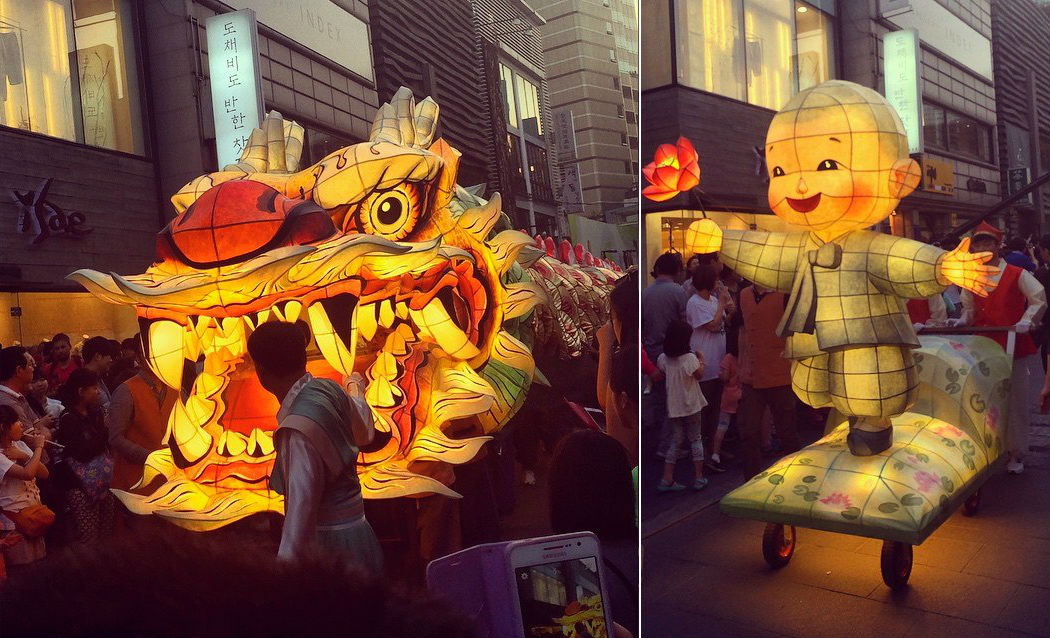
[[396, 271]]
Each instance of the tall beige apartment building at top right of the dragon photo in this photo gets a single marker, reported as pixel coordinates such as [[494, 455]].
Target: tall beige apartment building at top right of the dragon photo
[[592, 52]]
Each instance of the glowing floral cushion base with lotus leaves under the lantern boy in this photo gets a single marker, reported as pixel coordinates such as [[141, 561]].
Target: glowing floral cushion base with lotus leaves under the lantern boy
[[943, 448]]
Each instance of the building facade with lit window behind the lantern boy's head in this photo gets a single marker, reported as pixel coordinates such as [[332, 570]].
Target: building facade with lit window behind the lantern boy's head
[[738, 61]]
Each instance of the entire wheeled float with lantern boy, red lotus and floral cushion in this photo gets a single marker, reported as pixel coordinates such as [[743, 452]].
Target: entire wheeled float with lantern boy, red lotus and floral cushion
[[917, 424]]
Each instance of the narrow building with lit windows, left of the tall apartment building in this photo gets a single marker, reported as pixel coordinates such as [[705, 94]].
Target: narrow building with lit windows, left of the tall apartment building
[[512, 62]]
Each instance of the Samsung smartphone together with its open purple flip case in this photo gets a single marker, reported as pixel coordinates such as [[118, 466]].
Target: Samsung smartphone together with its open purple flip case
[[552, 587]]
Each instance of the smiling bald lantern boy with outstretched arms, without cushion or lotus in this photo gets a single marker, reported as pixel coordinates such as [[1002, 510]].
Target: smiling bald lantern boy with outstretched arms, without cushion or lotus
[[838, 161]]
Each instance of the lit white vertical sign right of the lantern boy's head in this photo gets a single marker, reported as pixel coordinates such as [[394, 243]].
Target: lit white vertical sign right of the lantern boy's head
[[904, 90]]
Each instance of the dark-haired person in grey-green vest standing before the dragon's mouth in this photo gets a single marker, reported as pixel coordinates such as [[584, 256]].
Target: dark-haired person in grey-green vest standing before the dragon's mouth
[[321, 430]]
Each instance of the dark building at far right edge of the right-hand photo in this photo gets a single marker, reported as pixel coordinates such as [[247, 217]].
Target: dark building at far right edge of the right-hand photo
[[1021, 42]]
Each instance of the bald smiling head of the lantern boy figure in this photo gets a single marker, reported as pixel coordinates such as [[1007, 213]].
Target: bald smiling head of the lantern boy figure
[[838, 161]]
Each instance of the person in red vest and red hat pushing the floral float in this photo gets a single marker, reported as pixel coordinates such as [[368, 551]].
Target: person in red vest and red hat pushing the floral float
[[1019, 301]]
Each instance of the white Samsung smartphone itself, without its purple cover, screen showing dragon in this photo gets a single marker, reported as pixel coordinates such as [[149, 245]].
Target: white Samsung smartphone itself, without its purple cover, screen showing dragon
[[560, 588]]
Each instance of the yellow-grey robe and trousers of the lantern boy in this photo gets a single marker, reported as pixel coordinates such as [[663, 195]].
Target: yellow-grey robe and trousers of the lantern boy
[[848, 328]]
